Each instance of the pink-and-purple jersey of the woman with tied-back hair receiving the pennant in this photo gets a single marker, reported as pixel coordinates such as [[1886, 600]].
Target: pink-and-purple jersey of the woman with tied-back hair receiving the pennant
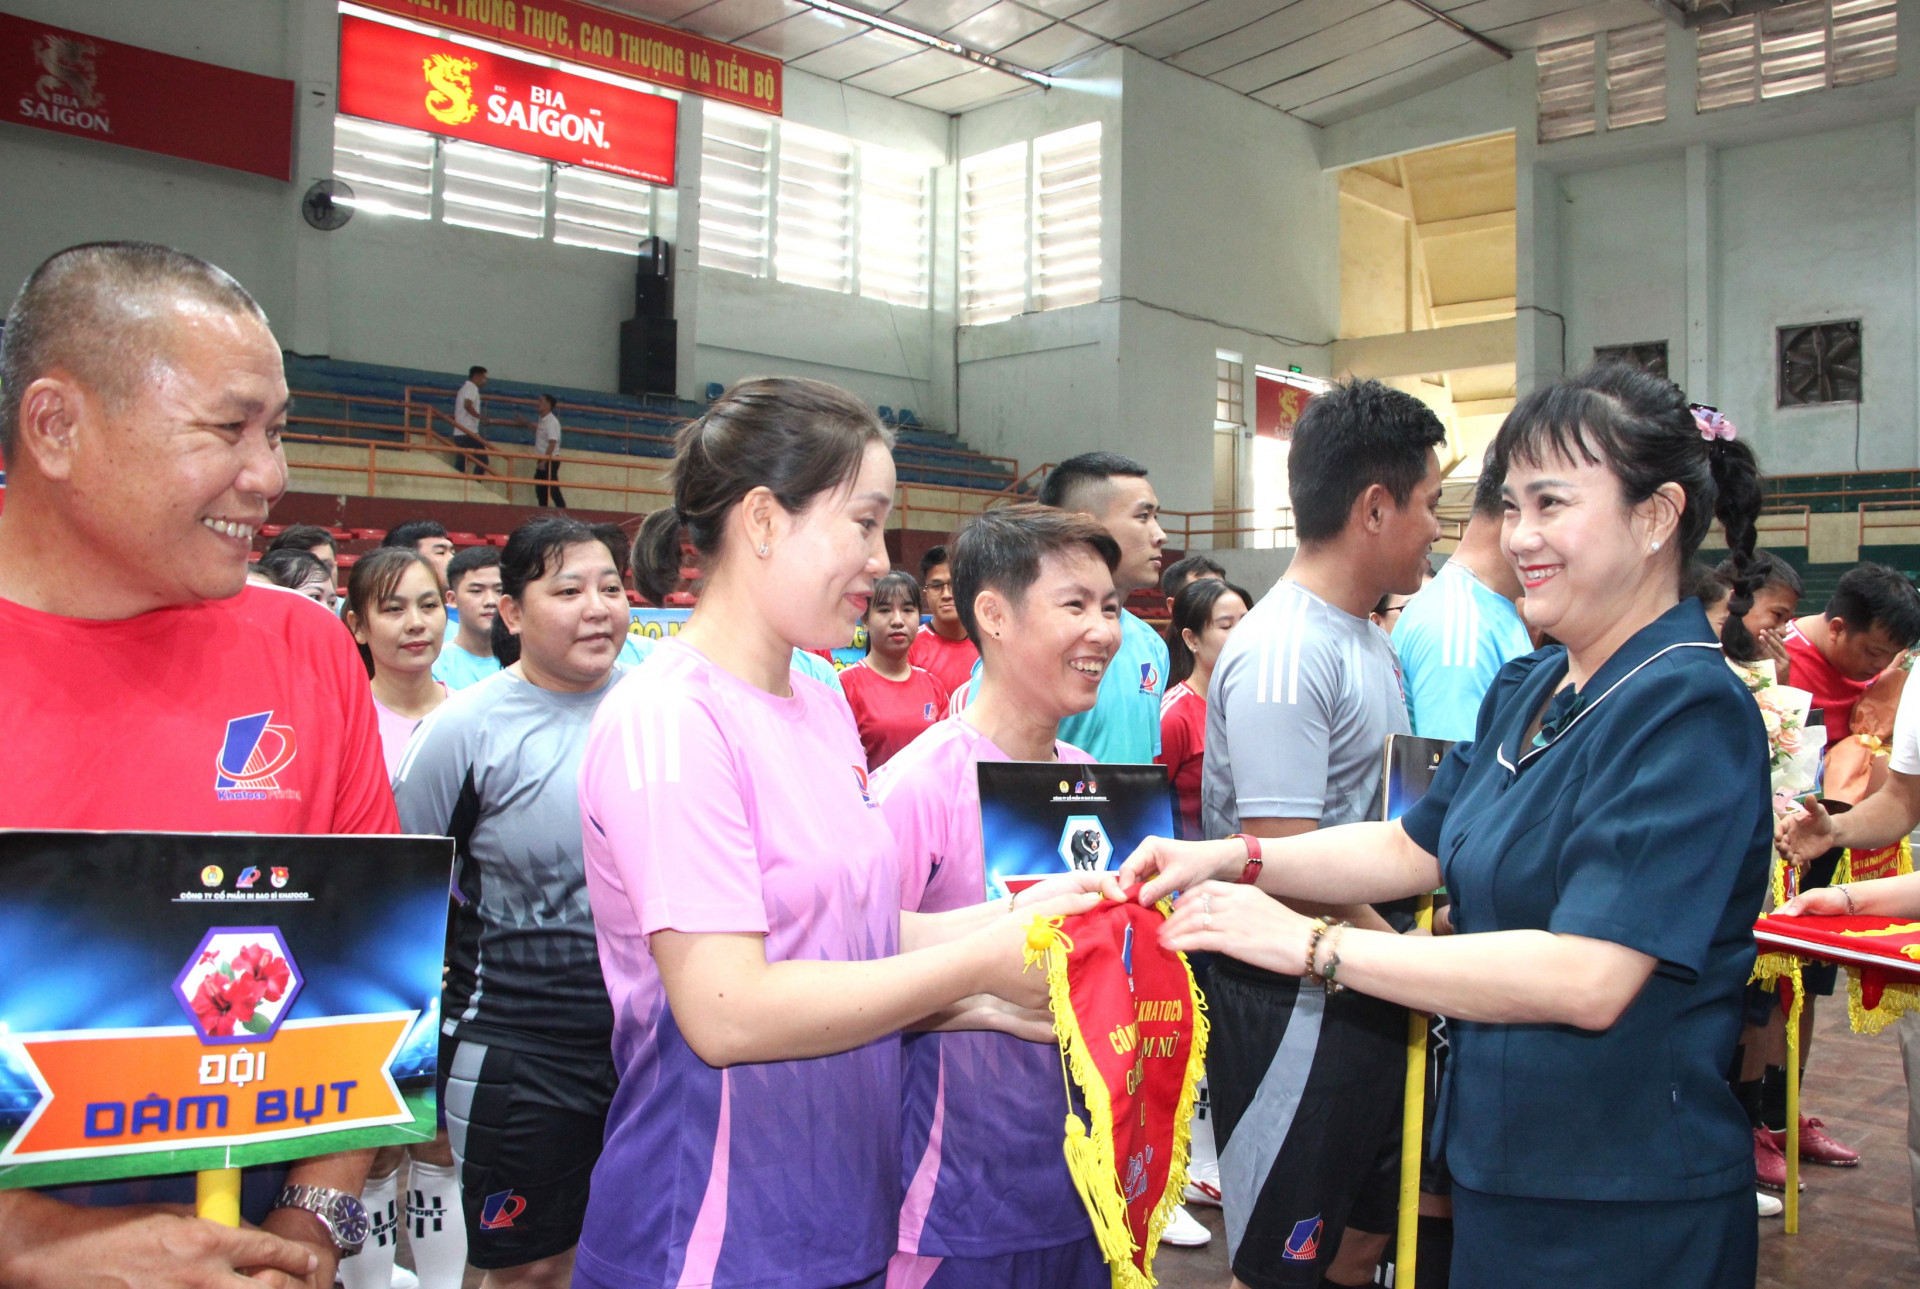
[[711, 806]]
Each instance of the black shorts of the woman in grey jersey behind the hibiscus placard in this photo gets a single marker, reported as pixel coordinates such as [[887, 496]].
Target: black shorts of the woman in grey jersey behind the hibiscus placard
[[527, 1131]]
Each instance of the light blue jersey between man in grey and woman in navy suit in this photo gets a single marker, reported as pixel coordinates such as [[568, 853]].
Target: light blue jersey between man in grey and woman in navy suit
[[1452, 641]]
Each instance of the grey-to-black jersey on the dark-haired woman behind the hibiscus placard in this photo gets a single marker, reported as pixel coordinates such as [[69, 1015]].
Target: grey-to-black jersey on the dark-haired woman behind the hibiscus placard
[[498, 769]]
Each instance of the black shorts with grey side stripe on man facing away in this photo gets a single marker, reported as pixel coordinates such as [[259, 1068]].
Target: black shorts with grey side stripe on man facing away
[[1307, 1113]]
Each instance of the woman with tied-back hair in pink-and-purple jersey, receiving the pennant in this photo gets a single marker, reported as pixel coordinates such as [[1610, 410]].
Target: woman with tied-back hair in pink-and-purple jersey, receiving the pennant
[[746, 887]]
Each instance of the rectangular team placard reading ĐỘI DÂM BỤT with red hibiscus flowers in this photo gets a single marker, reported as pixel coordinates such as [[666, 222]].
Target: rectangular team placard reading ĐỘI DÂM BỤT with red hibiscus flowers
[[181, 1002]]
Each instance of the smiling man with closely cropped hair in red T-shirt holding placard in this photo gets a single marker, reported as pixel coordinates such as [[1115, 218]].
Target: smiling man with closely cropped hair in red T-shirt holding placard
[[141, 429]]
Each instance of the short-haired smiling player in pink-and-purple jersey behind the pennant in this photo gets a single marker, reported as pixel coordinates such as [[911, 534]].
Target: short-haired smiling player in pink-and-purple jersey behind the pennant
[[990, 1202]]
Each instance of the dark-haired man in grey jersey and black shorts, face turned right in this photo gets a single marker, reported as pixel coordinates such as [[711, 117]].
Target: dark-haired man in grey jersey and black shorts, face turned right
[[1307, 1088]]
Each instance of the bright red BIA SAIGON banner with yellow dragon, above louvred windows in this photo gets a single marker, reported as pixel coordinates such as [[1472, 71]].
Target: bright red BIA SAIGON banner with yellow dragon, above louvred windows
[[402, 78]]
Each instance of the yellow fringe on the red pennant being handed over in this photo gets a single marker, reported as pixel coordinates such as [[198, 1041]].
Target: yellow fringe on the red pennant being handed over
[[1092, 1154]]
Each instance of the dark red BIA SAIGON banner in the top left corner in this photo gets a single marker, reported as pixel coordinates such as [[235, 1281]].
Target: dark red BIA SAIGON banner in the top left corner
[[72, 84]]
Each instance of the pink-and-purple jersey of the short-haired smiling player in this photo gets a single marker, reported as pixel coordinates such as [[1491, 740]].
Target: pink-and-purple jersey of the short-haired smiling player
[[984, 1113]]
